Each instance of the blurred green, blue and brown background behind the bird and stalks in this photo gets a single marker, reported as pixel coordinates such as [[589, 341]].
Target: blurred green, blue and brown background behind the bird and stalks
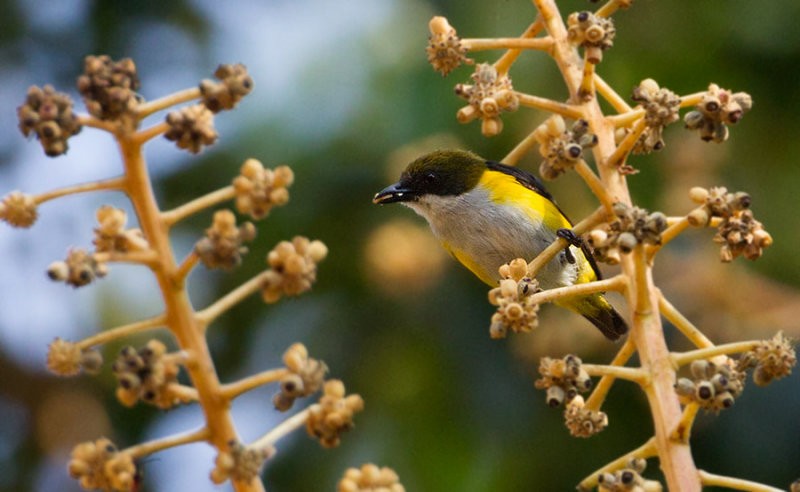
[[344, 95]]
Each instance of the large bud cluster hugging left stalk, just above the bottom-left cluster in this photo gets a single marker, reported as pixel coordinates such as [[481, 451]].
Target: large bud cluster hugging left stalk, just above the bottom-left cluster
[[149, 374]]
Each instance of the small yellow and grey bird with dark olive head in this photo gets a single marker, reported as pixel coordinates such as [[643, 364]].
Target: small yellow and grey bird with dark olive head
[[486, 214]]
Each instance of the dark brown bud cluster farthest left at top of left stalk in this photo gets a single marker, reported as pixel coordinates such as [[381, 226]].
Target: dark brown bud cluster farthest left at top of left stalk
[[48, 115]]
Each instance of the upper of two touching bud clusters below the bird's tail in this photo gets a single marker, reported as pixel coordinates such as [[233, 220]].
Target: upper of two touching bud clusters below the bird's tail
[[563, 379]]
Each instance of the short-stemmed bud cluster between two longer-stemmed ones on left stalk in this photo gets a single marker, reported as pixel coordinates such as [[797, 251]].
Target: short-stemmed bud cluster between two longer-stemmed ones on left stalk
[[222, 246]]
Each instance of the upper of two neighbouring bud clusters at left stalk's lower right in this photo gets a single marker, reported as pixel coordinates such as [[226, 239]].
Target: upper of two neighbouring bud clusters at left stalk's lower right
[[305, 377]]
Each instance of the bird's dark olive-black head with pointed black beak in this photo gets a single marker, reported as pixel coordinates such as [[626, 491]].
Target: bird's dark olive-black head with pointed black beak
[[440, 173]]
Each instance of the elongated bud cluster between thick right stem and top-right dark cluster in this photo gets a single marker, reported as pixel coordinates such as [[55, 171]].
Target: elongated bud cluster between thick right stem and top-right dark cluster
[[661, 109]]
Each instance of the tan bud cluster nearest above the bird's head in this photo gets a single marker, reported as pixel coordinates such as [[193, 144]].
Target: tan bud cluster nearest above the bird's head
[[489, 94]]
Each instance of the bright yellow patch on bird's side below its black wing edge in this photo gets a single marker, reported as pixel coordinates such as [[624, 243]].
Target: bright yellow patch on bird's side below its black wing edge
[[505, 189]]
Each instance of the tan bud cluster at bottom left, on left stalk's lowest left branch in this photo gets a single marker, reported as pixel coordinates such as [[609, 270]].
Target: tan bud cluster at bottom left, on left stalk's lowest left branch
[[99, 465]]
